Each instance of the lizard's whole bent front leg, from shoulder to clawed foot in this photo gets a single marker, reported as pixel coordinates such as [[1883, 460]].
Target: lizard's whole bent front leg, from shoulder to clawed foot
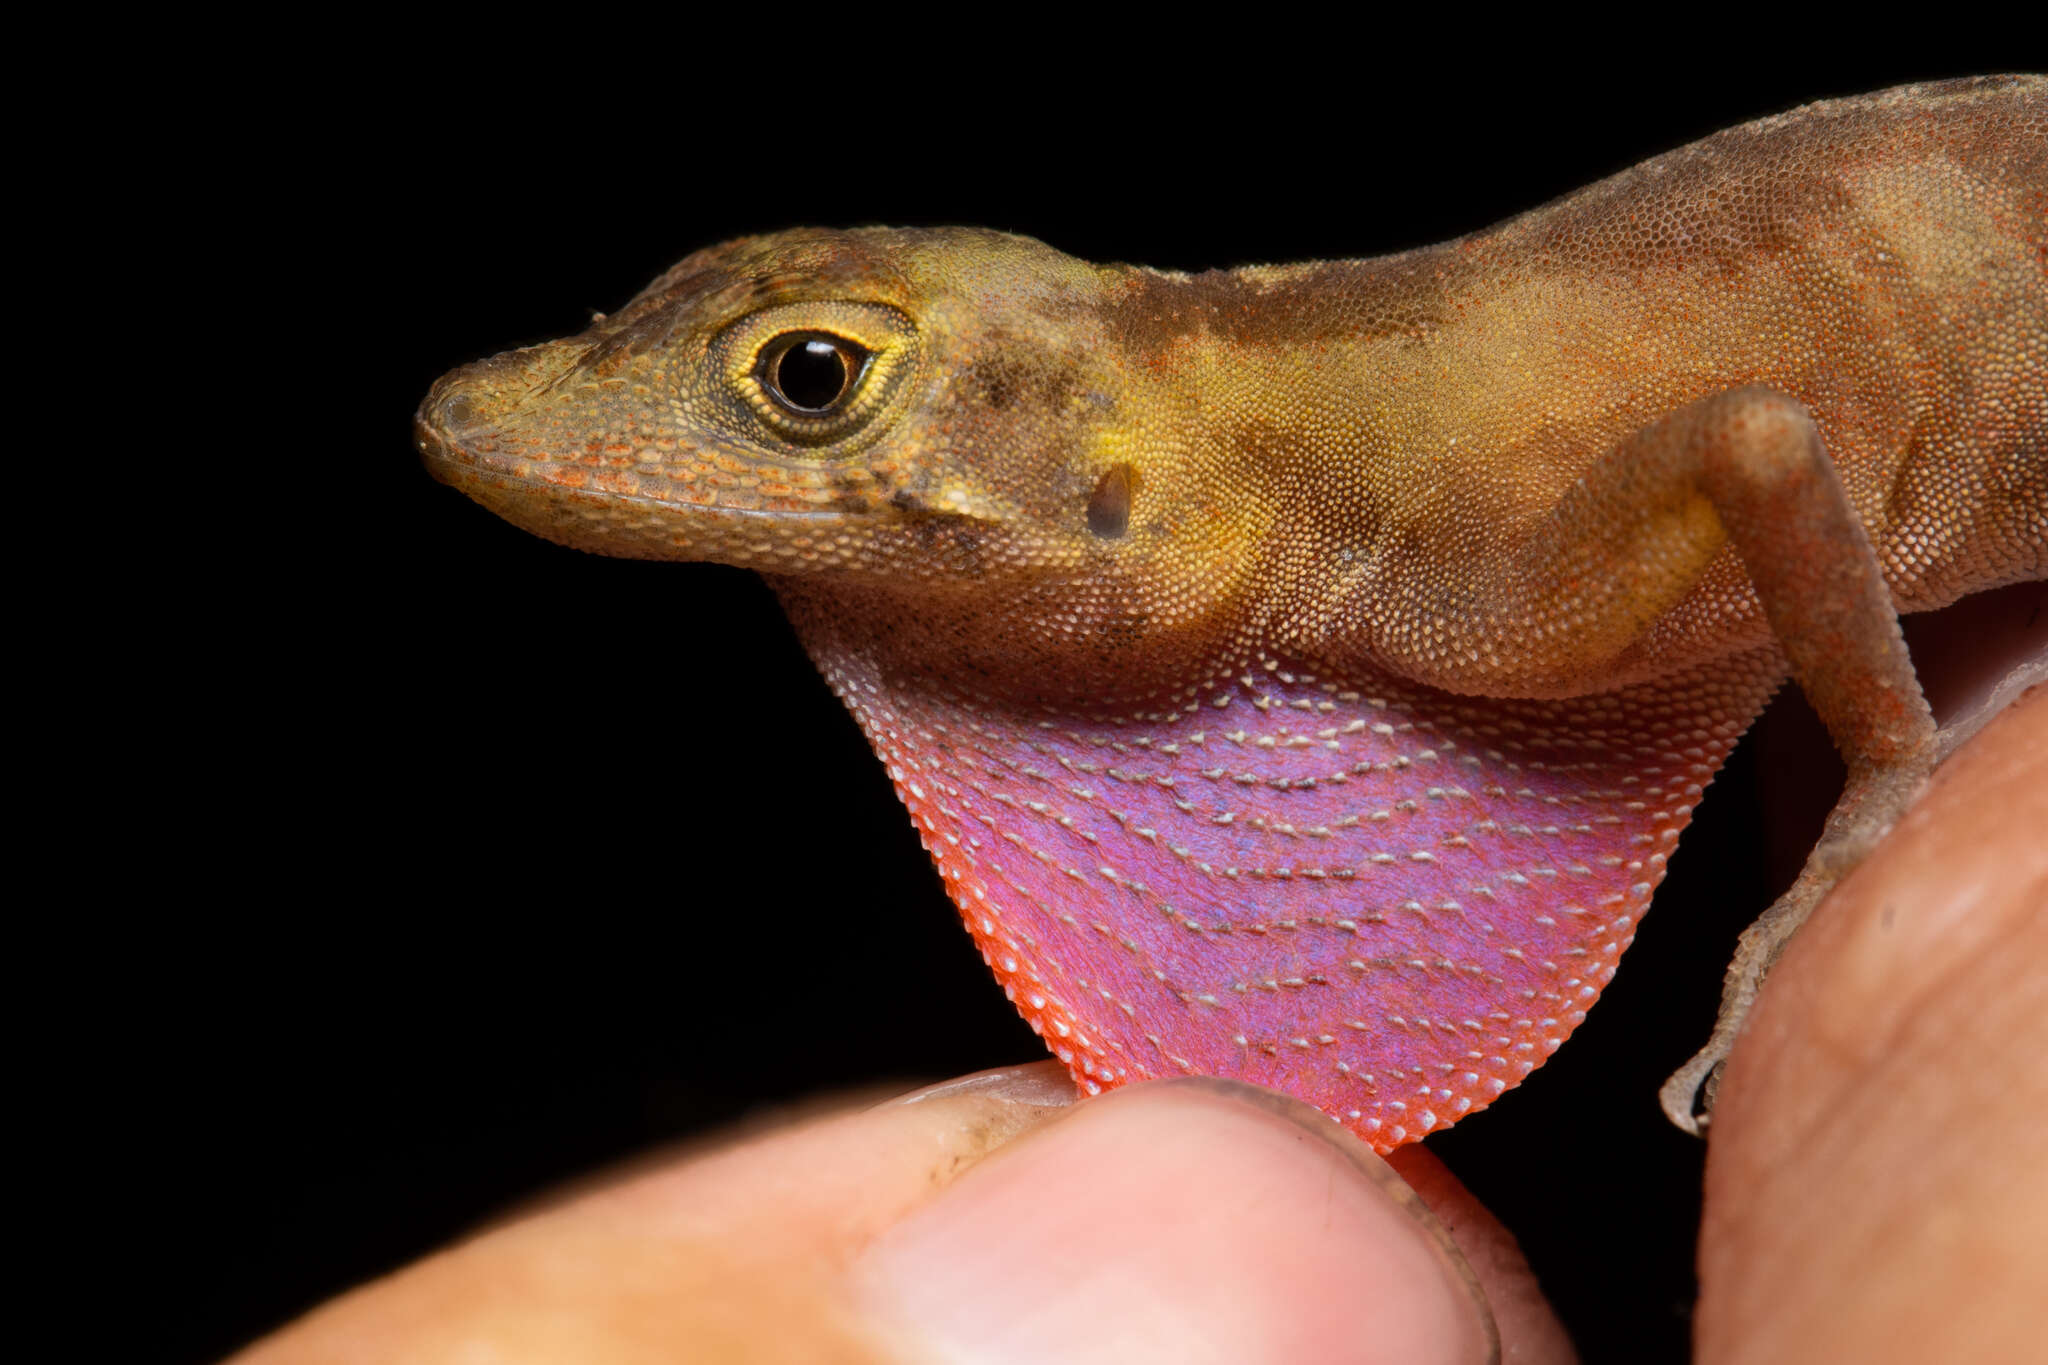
[[1572, 607]]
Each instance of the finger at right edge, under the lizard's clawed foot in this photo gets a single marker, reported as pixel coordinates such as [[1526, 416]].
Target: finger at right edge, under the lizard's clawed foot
[[1877, 1180]]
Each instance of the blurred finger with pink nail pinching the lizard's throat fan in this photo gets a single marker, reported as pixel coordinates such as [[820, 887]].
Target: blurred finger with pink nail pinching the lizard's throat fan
[[1175, 1221]]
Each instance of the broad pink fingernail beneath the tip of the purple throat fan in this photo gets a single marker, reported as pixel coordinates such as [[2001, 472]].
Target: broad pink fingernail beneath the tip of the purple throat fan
[[1179, 1221]]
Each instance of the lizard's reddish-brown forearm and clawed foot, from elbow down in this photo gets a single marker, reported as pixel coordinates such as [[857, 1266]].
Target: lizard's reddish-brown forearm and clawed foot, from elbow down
[[1777, 494]]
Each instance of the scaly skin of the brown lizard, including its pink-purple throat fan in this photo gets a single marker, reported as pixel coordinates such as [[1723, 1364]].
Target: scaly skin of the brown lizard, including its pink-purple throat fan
[[1304, 674]]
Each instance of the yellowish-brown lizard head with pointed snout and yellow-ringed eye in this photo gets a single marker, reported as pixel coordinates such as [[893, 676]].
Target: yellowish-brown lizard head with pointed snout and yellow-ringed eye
[[943, 414]]
